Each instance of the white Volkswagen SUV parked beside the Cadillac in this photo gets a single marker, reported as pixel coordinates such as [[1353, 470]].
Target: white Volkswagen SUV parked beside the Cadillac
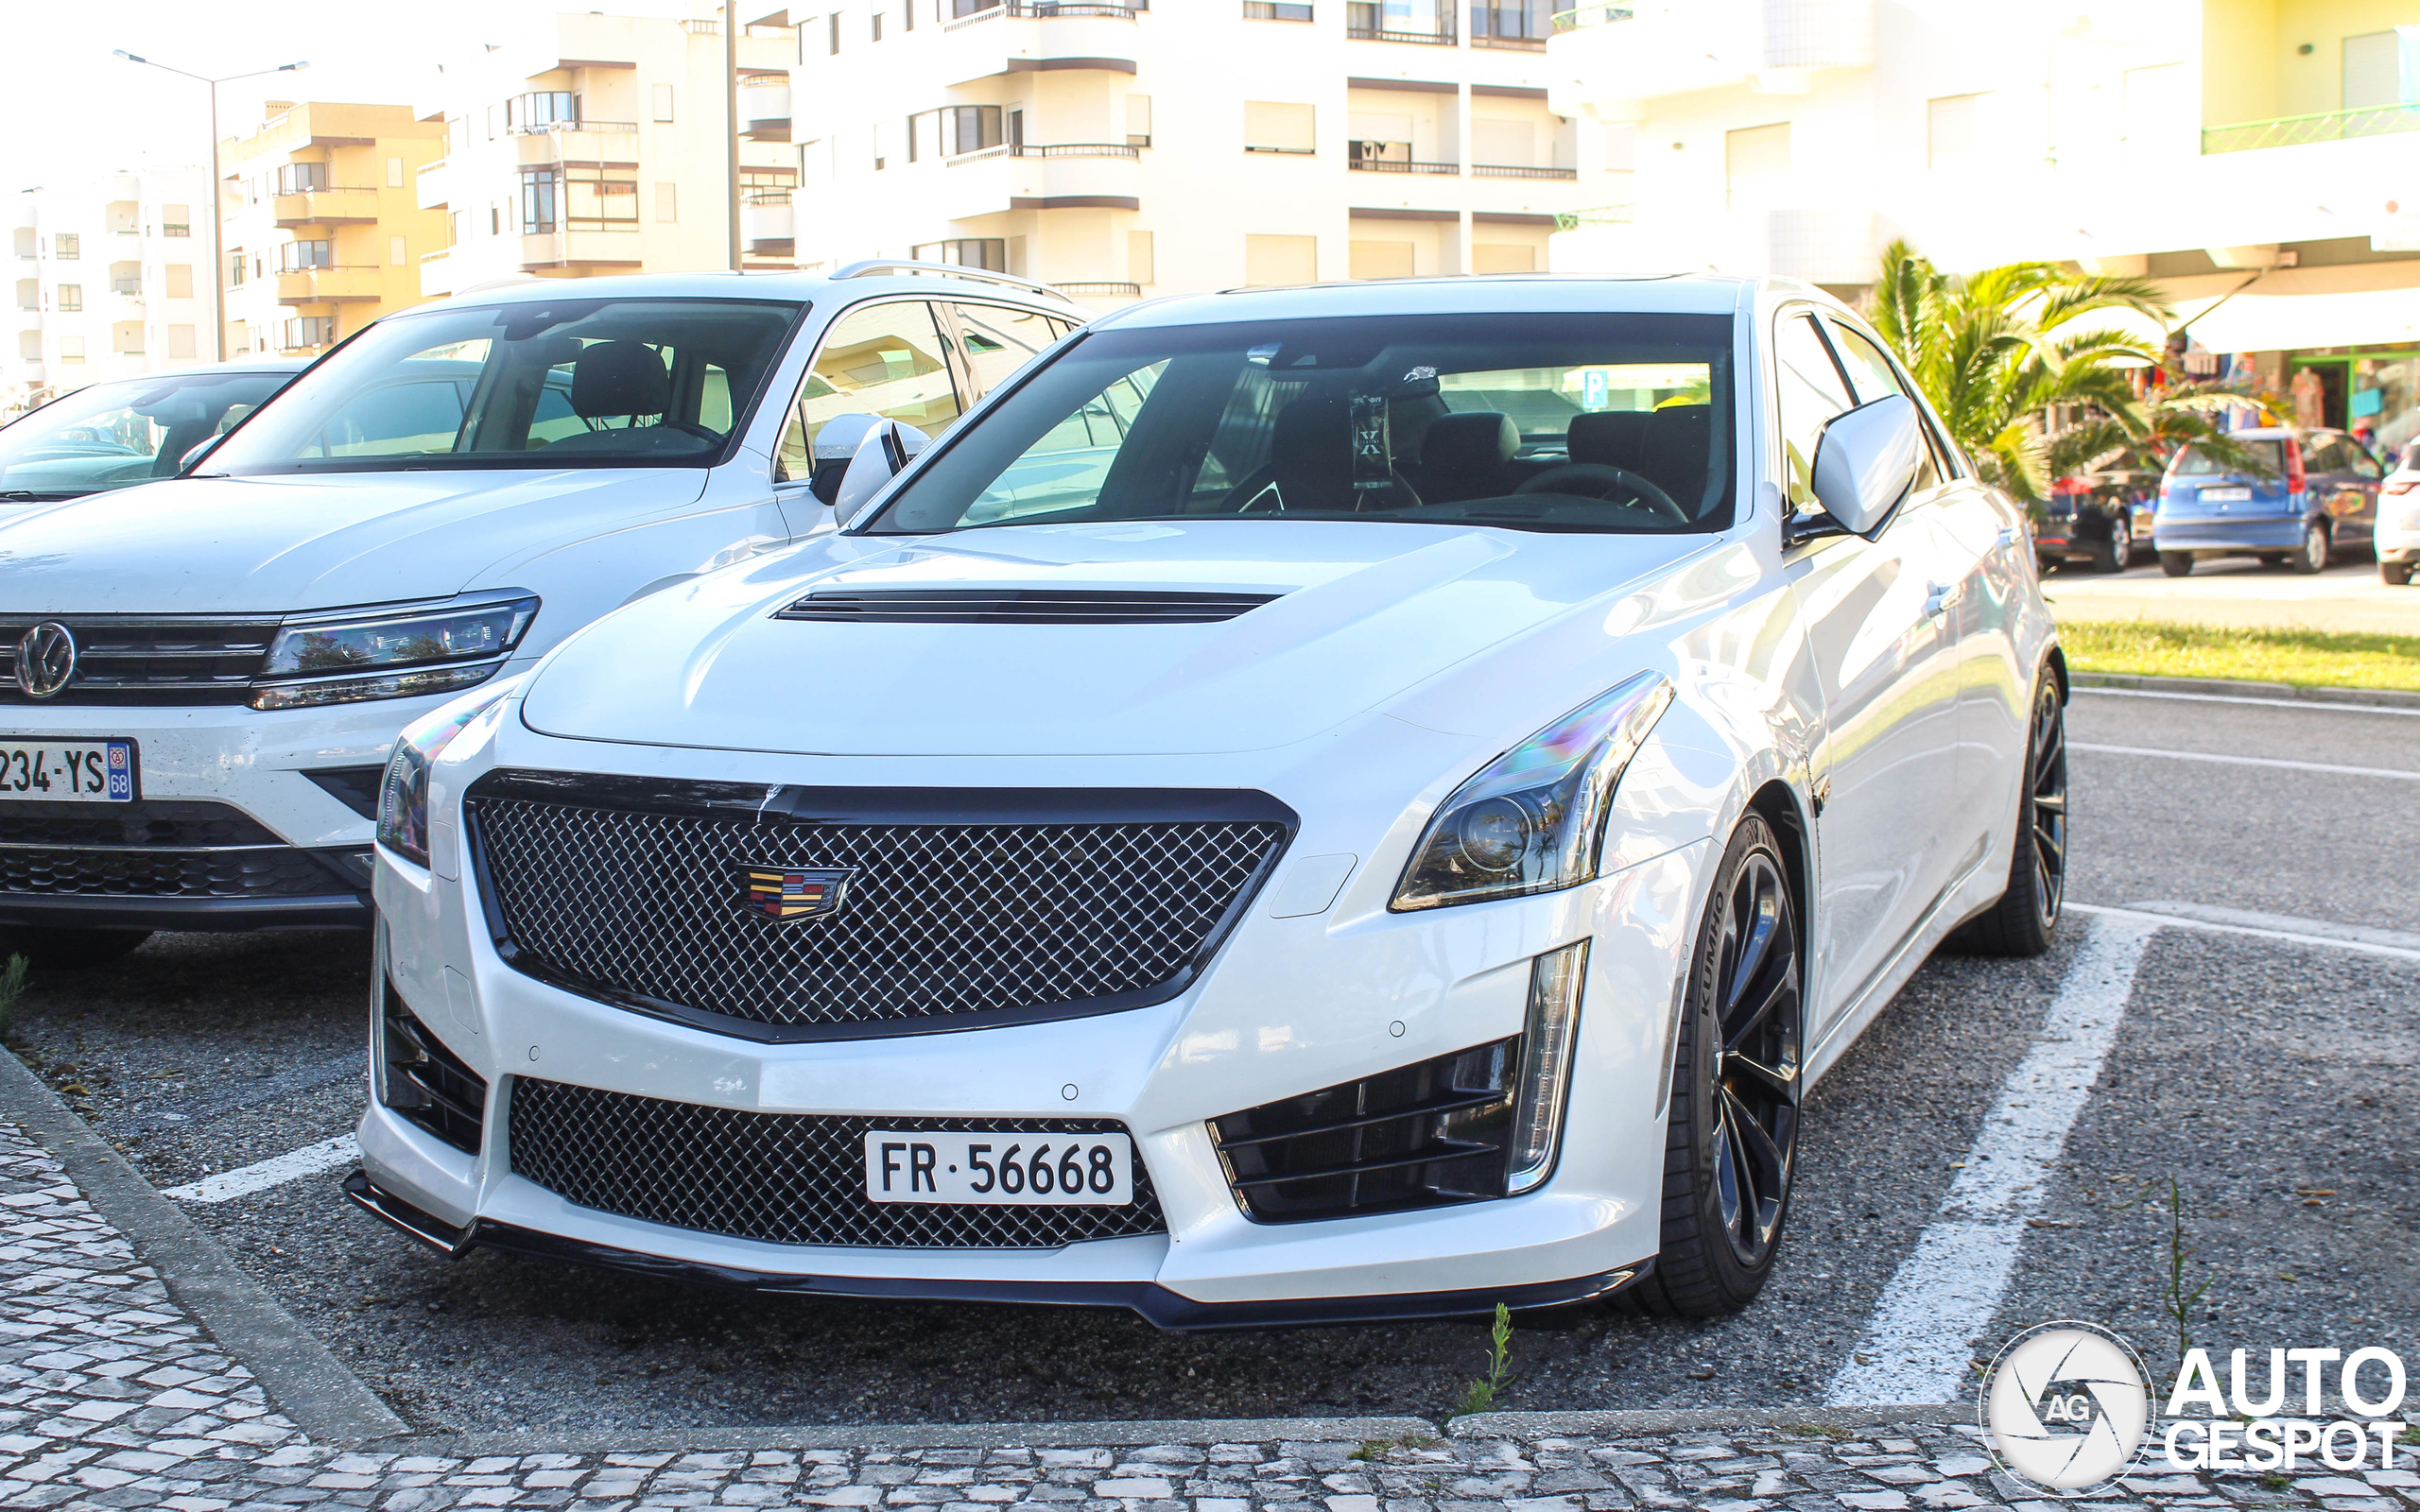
[[202, 676]]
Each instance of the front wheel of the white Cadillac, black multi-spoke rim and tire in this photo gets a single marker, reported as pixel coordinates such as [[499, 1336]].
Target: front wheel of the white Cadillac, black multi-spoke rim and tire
[[1732, 1148]]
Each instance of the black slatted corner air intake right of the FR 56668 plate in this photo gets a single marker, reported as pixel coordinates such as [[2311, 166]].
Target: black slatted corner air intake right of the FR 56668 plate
[[1422, 1136]]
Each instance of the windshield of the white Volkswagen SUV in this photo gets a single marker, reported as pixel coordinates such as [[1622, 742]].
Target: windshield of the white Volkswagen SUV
[[558, 383]]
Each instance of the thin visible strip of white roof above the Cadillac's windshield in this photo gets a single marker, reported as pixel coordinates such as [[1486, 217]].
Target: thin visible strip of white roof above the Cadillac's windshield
[[1492, 294]]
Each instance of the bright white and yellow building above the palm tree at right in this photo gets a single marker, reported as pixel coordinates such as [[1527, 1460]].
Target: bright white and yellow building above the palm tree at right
[[2261, 158]]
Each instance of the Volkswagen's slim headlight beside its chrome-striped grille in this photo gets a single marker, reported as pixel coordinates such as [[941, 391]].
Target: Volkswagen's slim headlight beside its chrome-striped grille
[[391, 654]]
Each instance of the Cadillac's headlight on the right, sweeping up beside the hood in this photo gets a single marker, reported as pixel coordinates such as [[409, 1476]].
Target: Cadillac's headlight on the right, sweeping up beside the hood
[[1533, 819]]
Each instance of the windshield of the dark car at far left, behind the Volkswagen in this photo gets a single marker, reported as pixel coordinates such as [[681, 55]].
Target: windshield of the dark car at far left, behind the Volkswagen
[[120, 434]]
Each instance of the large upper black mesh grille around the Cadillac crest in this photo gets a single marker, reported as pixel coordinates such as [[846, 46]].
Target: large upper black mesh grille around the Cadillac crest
[[947, 921]]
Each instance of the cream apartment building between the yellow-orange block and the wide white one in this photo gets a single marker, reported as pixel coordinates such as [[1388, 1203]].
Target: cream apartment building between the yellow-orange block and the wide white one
[[597, 144]]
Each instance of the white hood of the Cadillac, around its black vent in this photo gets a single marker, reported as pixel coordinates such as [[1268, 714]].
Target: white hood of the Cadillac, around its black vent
[[1366, 611]]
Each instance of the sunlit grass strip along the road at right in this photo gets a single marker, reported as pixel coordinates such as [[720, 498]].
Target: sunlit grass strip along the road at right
[[2300, 657]]
